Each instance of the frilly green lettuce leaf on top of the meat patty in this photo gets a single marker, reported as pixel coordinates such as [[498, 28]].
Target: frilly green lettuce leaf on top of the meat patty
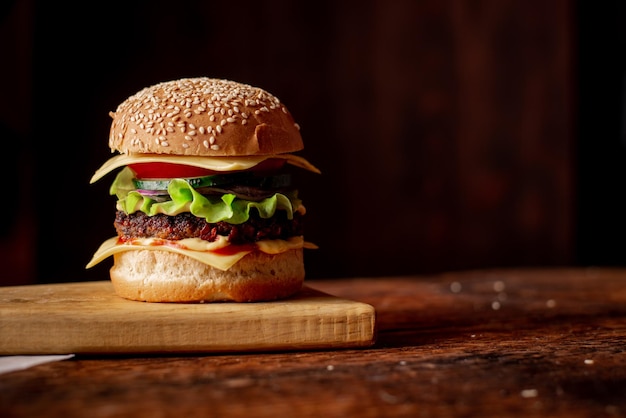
[[185, 198]]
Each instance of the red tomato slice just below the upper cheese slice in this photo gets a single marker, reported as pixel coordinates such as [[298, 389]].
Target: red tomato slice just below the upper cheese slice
[[169, 170]]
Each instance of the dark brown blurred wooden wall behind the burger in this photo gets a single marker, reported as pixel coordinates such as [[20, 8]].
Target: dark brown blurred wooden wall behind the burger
[[451, 134]]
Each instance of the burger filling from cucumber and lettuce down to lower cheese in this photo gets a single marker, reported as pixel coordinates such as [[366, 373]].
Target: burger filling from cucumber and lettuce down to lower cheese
[[242, 211]]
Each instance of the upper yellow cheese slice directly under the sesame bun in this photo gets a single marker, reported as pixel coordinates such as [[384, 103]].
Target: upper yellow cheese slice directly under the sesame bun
[[211, 163]]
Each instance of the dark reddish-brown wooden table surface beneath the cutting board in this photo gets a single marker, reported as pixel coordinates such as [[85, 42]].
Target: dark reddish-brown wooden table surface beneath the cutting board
[[540, 342]]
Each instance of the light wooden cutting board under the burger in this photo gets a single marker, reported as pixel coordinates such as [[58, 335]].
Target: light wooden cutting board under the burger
[[89, 318]]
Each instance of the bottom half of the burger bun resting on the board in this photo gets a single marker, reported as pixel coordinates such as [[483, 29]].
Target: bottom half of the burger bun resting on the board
[[162, 276]]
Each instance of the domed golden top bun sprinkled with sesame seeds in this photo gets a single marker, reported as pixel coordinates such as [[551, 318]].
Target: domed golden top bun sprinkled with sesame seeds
[[203, 117]]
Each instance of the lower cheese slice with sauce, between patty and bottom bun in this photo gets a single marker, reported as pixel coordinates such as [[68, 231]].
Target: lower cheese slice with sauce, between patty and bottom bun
[[197, 249]]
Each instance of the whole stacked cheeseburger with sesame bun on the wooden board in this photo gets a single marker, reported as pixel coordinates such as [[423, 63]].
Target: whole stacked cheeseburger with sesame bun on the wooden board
[[206, 210]]
